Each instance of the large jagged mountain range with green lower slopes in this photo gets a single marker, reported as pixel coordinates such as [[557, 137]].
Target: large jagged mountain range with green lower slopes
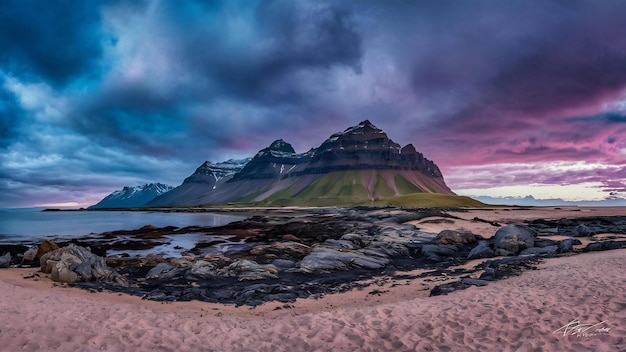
[[357, 166]]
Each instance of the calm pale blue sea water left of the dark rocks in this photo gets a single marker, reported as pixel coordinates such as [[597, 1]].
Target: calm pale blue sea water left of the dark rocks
[[33, 225]]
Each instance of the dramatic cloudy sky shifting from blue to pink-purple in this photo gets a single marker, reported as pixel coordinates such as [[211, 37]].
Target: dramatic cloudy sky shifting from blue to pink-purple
[[509, 98]]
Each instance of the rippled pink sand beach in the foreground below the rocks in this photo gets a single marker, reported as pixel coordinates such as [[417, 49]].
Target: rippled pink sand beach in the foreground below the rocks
[[572, 303]]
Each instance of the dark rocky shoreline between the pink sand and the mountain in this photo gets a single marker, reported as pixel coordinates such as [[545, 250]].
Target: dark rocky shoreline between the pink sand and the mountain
[[290, 253]]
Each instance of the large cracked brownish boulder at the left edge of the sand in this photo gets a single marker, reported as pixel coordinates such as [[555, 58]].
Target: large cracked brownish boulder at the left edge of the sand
[[74, 263]]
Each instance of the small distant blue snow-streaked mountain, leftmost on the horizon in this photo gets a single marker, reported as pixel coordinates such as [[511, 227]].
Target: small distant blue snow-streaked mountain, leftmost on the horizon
[[132, 197]]
